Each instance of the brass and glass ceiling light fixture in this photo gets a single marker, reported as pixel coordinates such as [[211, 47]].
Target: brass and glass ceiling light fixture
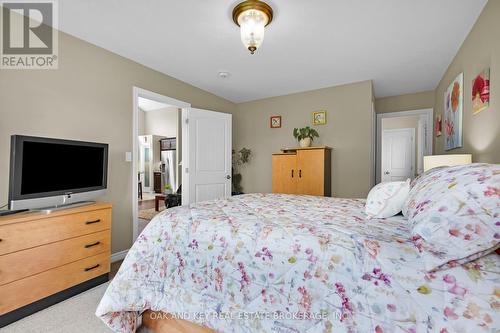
[[252, 16]]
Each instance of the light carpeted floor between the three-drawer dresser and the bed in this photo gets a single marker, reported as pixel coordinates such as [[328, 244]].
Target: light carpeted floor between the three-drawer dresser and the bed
[[75, 314]]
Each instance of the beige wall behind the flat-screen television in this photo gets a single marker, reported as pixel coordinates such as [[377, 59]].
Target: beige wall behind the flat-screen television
[[88, 98]]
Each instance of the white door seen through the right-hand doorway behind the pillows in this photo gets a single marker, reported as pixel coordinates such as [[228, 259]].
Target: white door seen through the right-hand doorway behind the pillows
[[398, 154]]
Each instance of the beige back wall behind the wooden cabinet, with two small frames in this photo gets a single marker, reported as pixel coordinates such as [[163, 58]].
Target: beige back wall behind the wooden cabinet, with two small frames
[[348, 131]]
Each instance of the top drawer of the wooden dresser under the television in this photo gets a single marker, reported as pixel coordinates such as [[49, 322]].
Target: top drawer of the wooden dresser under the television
[[25, 235]]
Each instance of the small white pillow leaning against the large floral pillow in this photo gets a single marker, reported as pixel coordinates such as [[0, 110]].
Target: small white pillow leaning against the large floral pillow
[[387, 199]]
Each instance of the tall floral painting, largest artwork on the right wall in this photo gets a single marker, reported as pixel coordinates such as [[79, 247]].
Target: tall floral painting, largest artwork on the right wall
[[453, 108]]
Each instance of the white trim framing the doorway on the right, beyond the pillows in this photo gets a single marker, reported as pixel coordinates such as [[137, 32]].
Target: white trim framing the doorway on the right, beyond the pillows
[[427, 115]]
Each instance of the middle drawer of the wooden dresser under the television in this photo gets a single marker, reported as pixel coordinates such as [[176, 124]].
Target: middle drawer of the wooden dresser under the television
[[18, 265]]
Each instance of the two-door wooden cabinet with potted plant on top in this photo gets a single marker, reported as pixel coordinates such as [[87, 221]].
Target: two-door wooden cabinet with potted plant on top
[[303, 171]]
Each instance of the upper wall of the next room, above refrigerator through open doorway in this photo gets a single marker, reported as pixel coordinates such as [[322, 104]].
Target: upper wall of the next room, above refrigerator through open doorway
[[162, 122]]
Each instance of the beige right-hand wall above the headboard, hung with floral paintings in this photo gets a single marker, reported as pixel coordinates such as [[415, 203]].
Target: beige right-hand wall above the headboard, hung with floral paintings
[[481, 49]]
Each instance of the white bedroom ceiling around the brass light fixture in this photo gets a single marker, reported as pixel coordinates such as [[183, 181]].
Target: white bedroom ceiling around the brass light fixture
[[403, 45]]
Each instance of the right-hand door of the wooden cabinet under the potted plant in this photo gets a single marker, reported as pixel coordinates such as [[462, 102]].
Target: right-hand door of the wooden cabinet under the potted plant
[[311, 172]]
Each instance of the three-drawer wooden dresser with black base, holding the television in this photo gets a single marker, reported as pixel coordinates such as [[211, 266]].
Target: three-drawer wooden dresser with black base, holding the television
[[46, 258]]
